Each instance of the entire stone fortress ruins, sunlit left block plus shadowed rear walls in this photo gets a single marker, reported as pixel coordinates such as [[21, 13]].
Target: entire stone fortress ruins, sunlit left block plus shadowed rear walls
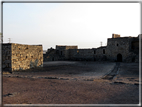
[[22, 57]]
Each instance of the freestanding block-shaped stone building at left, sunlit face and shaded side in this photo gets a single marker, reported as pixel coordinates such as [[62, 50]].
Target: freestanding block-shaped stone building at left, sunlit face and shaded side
[[21, 57]]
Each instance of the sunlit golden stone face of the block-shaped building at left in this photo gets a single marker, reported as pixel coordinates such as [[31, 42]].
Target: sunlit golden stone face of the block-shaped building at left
[[26, 56]]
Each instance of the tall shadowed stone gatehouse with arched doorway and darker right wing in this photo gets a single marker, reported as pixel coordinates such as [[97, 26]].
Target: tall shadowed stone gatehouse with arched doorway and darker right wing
[[121, 47]]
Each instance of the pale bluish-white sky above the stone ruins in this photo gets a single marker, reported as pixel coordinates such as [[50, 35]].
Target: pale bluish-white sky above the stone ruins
[[82, 24]]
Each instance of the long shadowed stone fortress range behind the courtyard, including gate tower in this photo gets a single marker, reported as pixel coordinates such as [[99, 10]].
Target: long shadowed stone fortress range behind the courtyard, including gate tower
[[125, 49]]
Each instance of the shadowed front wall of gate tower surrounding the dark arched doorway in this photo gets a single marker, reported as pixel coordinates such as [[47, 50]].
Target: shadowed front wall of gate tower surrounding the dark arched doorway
[[117, 46]]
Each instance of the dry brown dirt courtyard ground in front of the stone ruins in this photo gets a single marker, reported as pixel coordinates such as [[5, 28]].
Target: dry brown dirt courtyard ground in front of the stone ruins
[[64, 82]]
